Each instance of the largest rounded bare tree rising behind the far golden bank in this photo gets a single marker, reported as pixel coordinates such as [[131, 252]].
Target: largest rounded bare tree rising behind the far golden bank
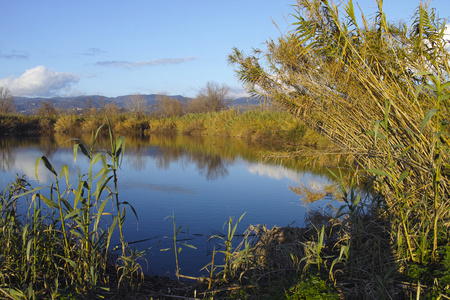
[[211, 97]]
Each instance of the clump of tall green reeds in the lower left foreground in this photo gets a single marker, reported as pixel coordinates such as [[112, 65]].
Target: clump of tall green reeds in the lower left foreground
[[62, 243]]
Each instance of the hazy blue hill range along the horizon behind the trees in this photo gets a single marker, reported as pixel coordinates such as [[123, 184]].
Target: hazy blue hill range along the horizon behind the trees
[[29, 105]]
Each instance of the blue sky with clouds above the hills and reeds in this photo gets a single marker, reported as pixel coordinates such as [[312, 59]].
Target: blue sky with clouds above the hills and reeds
[[112, 48]]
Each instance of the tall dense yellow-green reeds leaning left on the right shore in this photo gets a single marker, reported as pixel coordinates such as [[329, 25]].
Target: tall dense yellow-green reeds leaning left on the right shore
[[380, 92]]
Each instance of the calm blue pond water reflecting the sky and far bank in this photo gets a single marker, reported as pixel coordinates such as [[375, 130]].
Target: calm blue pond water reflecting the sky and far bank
[[201, 181]]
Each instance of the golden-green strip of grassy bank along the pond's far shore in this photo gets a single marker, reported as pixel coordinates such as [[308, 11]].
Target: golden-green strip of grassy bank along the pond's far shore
[[269, 127]]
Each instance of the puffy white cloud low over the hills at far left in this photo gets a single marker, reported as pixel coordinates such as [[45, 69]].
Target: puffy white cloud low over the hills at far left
[[40, 81]]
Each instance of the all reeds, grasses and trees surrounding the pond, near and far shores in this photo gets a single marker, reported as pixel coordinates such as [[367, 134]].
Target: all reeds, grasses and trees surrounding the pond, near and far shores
[[338, 83]]
